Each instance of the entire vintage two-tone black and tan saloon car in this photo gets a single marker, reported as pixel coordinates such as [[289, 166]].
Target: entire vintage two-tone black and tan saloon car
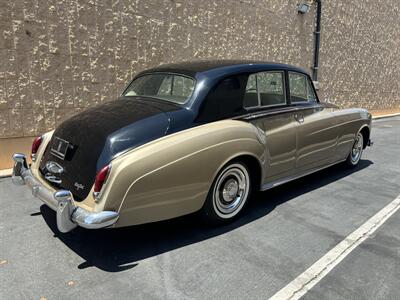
[[187, 137]]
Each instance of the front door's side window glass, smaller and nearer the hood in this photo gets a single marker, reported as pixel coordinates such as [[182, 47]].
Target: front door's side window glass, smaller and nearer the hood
[[301, 89]]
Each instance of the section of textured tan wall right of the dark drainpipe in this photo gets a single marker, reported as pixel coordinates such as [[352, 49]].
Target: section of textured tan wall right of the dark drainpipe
[[360, 53]]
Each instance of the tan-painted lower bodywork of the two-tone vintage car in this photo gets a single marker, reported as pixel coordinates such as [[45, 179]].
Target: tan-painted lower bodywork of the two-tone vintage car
[[171, 176]]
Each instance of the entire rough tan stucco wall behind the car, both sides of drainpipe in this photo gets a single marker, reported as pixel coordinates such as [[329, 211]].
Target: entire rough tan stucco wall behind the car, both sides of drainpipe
[[59, 57]]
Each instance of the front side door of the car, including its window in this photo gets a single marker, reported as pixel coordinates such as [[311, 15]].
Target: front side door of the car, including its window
[[316, 125]]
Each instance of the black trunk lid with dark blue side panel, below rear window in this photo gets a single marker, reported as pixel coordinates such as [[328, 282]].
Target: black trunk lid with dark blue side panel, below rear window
[[88, 141]]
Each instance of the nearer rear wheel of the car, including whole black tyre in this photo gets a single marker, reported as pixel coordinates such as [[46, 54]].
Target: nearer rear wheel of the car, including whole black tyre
[[228, 194]]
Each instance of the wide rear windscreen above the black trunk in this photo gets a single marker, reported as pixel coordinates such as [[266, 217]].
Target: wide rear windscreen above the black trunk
[[170, 87]]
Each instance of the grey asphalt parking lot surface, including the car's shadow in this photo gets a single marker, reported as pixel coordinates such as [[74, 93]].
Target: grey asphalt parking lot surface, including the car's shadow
[[282, 232]]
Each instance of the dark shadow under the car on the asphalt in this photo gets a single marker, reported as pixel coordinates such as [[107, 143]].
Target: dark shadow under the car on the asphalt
[[115, 250]]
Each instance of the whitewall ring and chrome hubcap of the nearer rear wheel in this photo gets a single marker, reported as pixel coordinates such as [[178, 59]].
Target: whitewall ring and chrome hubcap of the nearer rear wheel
[[231, 191]]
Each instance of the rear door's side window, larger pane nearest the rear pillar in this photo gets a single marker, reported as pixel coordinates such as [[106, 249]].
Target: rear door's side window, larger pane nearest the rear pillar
[[265, 89]]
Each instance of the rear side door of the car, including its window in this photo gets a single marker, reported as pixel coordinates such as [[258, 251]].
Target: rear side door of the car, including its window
[[265, 97]]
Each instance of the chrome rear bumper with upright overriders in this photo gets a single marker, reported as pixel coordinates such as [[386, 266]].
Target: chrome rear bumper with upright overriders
[[69, 215]]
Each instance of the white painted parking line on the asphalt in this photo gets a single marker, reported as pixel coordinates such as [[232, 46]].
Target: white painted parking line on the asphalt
[[305, 281]]
